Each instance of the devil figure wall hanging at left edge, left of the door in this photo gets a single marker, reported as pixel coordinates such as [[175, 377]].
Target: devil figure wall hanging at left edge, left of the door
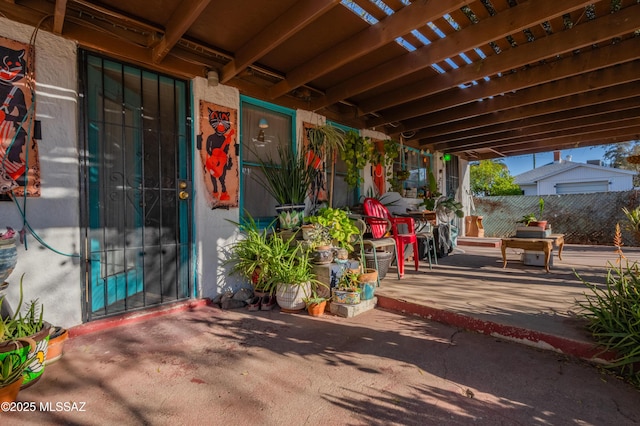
[[19, 167]]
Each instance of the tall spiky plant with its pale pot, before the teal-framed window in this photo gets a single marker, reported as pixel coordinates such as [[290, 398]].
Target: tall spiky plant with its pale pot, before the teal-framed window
[[287, 180]]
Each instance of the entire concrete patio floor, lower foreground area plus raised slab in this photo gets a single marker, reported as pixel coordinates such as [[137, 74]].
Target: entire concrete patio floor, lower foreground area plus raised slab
[[208, 366]]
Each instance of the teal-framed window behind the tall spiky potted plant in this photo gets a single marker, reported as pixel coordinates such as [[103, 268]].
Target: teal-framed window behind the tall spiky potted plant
[[263, 127]]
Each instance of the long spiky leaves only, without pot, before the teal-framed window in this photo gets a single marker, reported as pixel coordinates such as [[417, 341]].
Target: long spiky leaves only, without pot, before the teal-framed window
[[287, 178]]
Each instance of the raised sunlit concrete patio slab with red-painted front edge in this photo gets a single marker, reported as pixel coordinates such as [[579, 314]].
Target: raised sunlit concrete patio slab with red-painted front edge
[[471, 289]]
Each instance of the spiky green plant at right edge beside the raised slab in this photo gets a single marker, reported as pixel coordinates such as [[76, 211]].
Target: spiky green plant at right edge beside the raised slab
[[613, 313]]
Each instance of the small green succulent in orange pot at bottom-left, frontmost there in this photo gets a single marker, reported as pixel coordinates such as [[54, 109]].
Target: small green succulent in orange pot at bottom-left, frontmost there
[[12, 368]]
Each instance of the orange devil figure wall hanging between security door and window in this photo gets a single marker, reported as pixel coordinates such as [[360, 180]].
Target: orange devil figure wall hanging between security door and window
[[218, 152]]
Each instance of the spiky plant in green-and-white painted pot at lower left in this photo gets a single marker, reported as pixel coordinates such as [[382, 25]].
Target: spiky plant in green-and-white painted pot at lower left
[[30, 325]]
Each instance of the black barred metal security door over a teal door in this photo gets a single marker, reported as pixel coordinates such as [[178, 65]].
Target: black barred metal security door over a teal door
[[137, 188]]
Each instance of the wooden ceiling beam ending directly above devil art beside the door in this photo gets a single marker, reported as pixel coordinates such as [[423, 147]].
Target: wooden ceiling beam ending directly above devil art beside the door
[[297, 17]]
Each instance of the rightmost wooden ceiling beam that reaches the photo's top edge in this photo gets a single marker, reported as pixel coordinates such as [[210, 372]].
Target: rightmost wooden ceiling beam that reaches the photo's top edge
[[508, 22]]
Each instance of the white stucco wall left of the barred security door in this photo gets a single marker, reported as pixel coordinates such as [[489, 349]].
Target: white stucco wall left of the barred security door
[[52, 278]]
